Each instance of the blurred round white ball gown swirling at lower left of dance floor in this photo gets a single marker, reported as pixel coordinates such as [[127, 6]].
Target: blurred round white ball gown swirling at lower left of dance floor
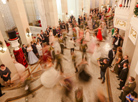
[[50, 77]]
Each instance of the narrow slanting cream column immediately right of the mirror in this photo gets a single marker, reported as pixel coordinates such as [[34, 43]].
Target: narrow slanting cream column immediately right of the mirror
[[42, 13]]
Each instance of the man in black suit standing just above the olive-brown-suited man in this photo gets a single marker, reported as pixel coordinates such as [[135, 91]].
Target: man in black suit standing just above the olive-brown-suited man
[[123, 75]]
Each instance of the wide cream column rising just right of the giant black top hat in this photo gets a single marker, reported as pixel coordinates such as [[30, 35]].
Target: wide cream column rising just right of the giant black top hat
[[20, 18]]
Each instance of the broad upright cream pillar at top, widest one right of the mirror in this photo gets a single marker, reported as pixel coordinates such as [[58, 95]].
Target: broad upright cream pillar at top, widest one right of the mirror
[[51, 12]]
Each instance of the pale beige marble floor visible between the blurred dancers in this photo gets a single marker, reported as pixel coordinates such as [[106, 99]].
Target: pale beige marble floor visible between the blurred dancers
[[89, 89]]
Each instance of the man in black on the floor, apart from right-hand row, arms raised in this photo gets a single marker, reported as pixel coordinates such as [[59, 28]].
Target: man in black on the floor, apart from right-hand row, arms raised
[[103, 66]]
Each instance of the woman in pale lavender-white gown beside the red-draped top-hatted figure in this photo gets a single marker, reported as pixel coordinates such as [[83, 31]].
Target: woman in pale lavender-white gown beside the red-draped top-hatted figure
[[31, 56]]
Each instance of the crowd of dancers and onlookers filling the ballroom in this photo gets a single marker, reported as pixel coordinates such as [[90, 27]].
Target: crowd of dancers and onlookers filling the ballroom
[[87, 33]]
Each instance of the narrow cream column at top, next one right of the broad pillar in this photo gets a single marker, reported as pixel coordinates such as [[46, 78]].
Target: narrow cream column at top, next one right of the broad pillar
[[64, 9]]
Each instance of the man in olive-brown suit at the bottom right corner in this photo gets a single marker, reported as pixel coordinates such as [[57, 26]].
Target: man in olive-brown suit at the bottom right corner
[[129, 87]]
